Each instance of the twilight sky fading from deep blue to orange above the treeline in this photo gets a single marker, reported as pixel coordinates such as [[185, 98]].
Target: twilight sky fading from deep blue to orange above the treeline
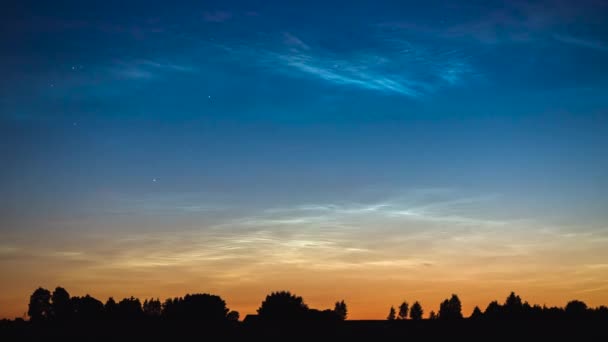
[[371, 151]]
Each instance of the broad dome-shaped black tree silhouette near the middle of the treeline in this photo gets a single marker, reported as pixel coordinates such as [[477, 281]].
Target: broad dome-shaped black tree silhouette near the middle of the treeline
[[283, 305]]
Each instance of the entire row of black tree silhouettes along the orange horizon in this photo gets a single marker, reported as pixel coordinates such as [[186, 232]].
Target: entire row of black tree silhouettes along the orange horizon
[[57, 306]]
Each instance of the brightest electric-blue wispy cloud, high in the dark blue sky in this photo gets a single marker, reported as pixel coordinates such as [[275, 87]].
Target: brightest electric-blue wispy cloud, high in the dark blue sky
[[396, 67]]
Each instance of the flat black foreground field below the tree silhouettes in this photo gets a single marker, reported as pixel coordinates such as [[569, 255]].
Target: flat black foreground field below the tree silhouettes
[[381, 330]]
